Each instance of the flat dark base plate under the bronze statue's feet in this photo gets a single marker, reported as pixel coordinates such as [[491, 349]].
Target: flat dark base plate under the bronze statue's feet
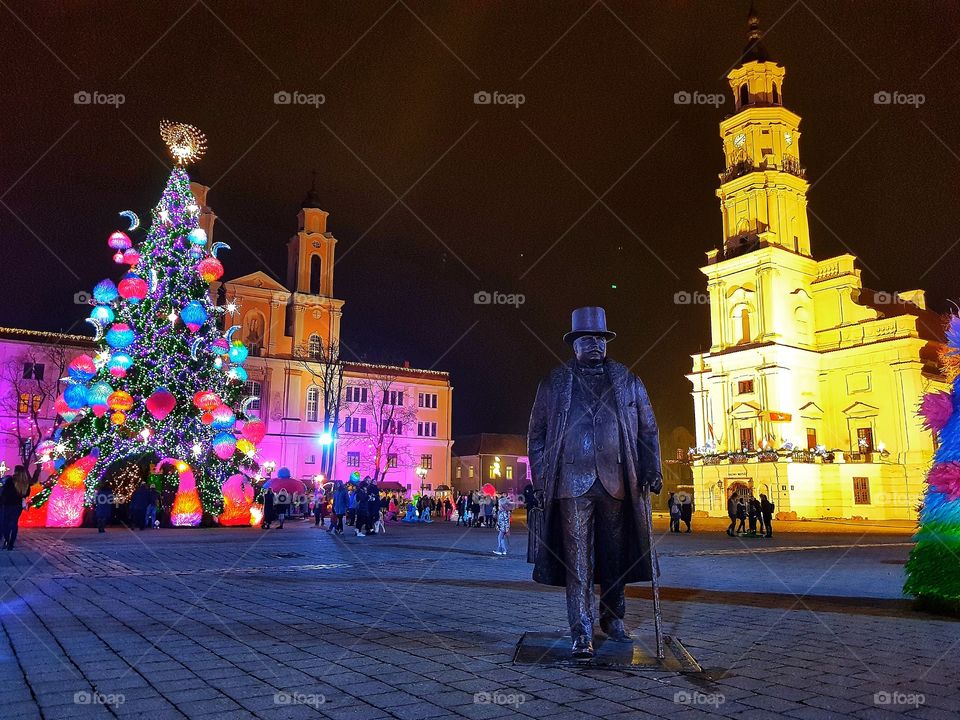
[[553, 649]]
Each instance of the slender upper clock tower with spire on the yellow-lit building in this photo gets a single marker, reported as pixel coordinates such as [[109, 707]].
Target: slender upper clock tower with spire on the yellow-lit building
[[763, 188]]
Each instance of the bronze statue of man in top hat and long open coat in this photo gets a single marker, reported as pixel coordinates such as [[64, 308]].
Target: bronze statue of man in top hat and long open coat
[[594, 455]]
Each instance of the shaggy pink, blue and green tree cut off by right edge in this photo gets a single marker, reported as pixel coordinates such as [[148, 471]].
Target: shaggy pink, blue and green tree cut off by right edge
[[933, 570]]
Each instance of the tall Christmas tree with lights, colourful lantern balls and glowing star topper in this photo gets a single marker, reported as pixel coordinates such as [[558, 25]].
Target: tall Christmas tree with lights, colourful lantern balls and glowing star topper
[[165, 387]]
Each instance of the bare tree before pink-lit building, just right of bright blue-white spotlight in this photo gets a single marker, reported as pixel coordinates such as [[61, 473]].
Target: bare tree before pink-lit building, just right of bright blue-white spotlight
[[379, 415]]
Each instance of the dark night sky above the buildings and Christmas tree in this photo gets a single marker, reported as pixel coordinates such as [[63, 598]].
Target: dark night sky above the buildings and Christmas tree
[[494, 188]]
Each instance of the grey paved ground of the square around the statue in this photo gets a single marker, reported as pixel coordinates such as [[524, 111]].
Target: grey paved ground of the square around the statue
[[422, 622]]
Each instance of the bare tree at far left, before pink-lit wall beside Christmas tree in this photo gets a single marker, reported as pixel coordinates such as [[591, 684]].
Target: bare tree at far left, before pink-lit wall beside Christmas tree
[[33, 378]]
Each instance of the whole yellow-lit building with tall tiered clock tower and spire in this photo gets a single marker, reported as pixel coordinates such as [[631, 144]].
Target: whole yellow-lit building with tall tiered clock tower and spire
[[810, 388]]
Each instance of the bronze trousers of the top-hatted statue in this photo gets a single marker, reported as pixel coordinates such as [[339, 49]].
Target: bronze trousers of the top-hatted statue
[[592, 545]]
